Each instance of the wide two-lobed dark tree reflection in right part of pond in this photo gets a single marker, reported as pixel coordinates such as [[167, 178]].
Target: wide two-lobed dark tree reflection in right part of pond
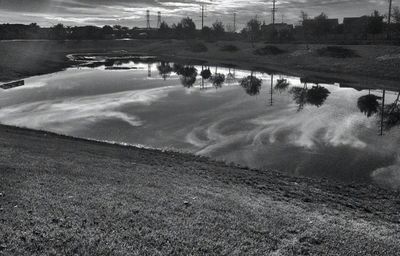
[[315, 96]]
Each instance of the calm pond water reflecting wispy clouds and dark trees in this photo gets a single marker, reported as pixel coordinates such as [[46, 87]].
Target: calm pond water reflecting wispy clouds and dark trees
[[266, 121]]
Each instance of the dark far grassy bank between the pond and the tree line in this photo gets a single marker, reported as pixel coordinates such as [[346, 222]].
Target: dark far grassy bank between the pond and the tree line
[[22, 59]]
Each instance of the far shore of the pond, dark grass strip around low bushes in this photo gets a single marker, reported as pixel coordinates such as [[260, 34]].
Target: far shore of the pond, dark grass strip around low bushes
[[51, 56]]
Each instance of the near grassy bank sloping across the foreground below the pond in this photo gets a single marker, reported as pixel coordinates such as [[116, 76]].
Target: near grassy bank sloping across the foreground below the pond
[[64, 196]]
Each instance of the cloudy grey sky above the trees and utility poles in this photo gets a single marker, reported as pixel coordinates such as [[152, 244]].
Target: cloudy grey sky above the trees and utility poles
[[132, 13]]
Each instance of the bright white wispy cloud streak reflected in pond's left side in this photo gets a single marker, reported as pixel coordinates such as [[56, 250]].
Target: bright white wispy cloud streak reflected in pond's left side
[[69, 114]]
